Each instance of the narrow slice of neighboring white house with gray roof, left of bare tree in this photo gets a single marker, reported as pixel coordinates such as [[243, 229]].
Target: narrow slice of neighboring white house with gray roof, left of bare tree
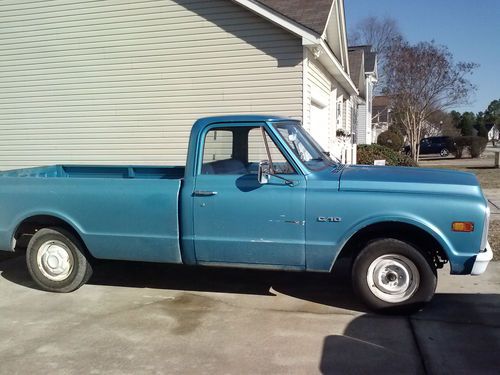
[[363, 68]]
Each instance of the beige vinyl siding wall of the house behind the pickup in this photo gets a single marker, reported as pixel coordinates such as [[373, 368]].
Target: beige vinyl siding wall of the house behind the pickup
[[117, 82]]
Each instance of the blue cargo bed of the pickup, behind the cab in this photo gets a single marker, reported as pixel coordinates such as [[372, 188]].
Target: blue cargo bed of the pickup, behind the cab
[[120, 212]]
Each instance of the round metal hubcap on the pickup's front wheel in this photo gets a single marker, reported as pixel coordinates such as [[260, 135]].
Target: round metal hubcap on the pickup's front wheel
[[393, 278]]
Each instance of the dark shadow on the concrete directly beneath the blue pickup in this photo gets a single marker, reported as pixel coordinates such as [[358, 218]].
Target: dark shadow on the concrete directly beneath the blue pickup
[[330, 290]]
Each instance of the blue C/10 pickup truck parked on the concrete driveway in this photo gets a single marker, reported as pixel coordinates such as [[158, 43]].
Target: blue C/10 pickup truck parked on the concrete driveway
[[256, 192]]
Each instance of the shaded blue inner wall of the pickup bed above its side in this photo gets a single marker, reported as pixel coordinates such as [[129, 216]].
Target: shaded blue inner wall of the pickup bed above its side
[[91, 171]]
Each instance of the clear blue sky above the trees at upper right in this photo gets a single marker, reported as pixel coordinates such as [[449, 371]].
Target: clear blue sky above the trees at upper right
[[470, 29]]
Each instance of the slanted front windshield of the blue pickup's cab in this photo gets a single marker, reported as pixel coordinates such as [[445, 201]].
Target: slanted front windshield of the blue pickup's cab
[[304, 146]]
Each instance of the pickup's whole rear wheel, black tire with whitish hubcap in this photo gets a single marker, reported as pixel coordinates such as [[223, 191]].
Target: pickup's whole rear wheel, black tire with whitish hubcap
[[56, 260]]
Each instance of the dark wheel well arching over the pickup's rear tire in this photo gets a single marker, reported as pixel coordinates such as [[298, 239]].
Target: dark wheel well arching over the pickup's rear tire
[[31, 225]]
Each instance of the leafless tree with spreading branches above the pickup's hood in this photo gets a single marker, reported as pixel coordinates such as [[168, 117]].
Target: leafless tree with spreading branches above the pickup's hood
[[423, 79]]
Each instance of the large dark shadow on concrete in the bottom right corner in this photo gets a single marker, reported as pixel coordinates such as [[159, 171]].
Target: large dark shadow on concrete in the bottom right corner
[[456, 333]]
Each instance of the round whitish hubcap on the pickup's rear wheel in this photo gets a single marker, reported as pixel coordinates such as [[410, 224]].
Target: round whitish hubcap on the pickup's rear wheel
[[55, 260]]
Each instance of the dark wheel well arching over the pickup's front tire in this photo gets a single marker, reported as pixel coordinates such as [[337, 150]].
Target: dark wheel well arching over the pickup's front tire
[[419, 238]]
